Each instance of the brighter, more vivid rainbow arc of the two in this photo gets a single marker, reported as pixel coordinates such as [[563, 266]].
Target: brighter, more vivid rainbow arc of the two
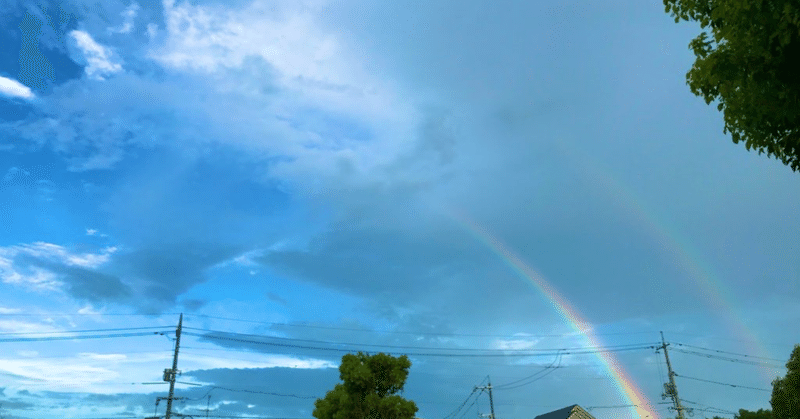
[[642, 407]]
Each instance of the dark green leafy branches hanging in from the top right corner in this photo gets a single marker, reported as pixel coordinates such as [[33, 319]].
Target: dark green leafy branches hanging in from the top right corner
[[748, 59]]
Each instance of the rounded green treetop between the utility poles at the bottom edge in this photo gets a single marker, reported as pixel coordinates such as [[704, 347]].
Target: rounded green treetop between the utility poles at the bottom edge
[[368, 390]]
